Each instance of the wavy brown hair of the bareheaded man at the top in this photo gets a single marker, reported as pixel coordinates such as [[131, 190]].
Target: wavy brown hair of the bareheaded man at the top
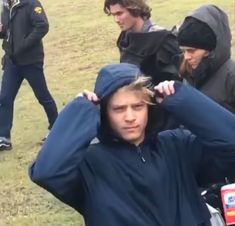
[[135, 7]]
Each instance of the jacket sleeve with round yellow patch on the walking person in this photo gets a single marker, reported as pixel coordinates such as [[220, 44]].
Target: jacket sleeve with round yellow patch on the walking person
[[40, 25]]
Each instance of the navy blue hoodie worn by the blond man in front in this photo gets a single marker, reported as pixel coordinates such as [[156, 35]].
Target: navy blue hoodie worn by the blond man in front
[[114, 183]]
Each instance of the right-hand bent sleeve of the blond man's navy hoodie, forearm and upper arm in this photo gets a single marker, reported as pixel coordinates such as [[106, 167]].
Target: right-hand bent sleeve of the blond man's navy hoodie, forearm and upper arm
[[213, 141]]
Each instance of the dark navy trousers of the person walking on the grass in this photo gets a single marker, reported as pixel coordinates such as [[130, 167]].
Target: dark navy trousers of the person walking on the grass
[[13, 75]]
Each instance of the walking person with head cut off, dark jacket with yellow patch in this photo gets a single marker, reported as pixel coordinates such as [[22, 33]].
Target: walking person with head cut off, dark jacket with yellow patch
[[24, 24]]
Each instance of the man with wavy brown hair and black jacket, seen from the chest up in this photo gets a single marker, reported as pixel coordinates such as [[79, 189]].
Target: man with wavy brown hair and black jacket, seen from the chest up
[[143, 43]]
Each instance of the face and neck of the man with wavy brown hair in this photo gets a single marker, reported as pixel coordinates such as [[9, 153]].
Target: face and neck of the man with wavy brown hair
[[124, 19]]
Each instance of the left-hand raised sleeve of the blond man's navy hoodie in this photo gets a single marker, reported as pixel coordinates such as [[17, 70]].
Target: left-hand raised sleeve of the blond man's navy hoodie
[[56, 167]]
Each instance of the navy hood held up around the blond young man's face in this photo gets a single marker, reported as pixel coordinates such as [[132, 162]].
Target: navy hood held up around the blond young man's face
[[110, 79]]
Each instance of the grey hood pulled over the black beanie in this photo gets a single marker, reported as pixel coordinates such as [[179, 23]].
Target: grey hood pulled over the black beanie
[[217, 20]]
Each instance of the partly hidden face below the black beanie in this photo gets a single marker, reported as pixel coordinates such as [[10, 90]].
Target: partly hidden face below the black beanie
[[194, 56]]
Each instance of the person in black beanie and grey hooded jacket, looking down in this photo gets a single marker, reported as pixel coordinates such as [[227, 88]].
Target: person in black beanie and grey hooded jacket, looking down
[[205, 39]]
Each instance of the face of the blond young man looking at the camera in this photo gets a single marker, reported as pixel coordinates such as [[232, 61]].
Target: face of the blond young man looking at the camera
[[127, 113]]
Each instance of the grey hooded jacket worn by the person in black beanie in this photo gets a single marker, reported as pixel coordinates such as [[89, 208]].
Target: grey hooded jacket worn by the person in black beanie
[[219, 83]]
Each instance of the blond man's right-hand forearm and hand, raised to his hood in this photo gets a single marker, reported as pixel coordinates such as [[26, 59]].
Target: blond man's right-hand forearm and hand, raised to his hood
[[213, 124]]
